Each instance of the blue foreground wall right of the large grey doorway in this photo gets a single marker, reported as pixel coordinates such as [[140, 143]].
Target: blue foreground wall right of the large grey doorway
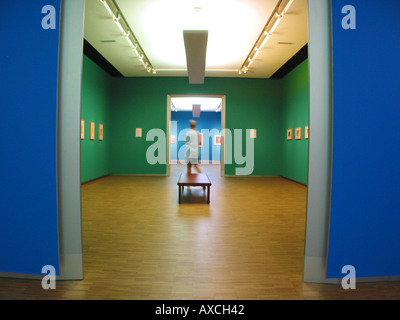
[[365, 214]]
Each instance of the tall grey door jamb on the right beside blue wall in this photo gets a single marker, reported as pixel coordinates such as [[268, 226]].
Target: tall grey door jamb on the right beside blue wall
[[320, 141]]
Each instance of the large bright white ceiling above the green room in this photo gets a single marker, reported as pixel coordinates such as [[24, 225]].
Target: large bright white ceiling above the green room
[[233, 27]]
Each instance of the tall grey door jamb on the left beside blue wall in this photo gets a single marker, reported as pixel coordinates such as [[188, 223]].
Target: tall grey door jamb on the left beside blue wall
[[69, 141]]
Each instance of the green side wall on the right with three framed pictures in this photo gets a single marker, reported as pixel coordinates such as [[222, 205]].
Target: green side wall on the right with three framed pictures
[[295, 110]]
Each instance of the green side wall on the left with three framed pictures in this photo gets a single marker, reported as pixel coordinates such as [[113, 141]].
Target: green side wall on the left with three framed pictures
[[96, 107]]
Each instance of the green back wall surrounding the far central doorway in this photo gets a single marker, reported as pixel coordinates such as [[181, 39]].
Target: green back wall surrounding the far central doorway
[[142, 103]]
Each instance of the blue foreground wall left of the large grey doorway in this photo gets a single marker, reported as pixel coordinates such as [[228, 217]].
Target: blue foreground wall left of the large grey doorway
[[28, 189]]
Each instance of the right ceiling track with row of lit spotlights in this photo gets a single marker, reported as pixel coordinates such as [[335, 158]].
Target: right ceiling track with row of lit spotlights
[[273, 22]]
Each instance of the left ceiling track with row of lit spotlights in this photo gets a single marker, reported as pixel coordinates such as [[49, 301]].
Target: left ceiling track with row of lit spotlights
[[120, 21]]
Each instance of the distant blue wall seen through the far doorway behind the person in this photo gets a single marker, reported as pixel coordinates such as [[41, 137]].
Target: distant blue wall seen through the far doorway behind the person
[[207, 120]]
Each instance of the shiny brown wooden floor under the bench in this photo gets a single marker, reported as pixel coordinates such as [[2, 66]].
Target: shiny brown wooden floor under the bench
[[139, 243]]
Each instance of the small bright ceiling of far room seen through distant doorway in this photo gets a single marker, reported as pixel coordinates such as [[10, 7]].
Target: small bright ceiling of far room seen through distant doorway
[[186, 104]]
